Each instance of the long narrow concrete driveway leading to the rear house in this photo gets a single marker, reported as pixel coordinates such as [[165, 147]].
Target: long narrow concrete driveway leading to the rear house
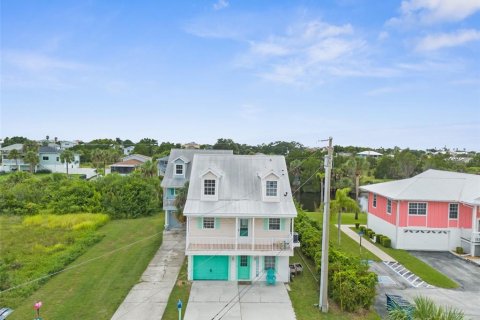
[[147, 299]]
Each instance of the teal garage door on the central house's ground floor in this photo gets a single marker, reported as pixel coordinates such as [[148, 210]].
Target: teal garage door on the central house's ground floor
[[210, 267]]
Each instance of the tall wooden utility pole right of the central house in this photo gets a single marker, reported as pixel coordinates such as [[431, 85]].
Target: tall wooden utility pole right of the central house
[[323, 302]]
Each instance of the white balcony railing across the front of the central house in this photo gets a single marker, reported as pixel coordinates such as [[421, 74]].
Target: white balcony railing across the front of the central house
[[232, 243]]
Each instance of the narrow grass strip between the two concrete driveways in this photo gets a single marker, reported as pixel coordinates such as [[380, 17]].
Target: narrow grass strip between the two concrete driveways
[[181, 291]]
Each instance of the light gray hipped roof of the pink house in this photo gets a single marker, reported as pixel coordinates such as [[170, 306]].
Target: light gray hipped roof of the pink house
[[433, 185]]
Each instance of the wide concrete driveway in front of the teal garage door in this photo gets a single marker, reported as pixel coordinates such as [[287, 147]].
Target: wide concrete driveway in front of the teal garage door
[[230, 301]]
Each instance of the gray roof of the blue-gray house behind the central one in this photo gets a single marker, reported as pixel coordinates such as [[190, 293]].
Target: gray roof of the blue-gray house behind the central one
[[169, 181]]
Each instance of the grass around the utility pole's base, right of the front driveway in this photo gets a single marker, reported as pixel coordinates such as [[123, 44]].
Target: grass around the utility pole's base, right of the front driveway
[[305, 294]]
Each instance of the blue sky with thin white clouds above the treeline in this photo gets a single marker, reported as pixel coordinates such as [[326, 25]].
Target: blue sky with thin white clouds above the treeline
[[370, 73]]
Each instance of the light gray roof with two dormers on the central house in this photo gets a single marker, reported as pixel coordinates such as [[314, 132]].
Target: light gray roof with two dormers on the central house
[[240, 186]]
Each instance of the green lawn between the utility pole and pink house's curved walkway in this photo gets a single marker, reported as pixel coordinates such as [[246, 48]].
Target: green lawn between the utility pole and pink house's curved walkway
[[347, 244]]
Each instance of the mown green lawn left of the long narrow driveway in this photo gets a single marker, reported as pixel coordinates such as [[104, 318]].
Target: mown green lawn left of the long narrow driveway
[[95, 290]]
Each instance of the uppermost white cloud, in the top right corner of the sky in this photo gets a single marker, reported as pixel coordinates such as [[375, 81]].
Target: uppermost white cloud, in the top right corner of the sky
[[434, 11]]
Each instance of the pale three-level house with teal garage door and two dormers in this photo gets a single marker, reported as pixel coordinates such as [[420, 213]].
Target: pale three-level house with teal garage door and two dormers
[[240, 215]]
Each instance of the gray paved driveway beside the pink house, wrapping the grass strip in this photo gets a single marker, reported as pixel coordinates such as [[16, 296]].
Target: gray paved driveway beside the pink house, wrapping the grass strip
[[465, 297]]
